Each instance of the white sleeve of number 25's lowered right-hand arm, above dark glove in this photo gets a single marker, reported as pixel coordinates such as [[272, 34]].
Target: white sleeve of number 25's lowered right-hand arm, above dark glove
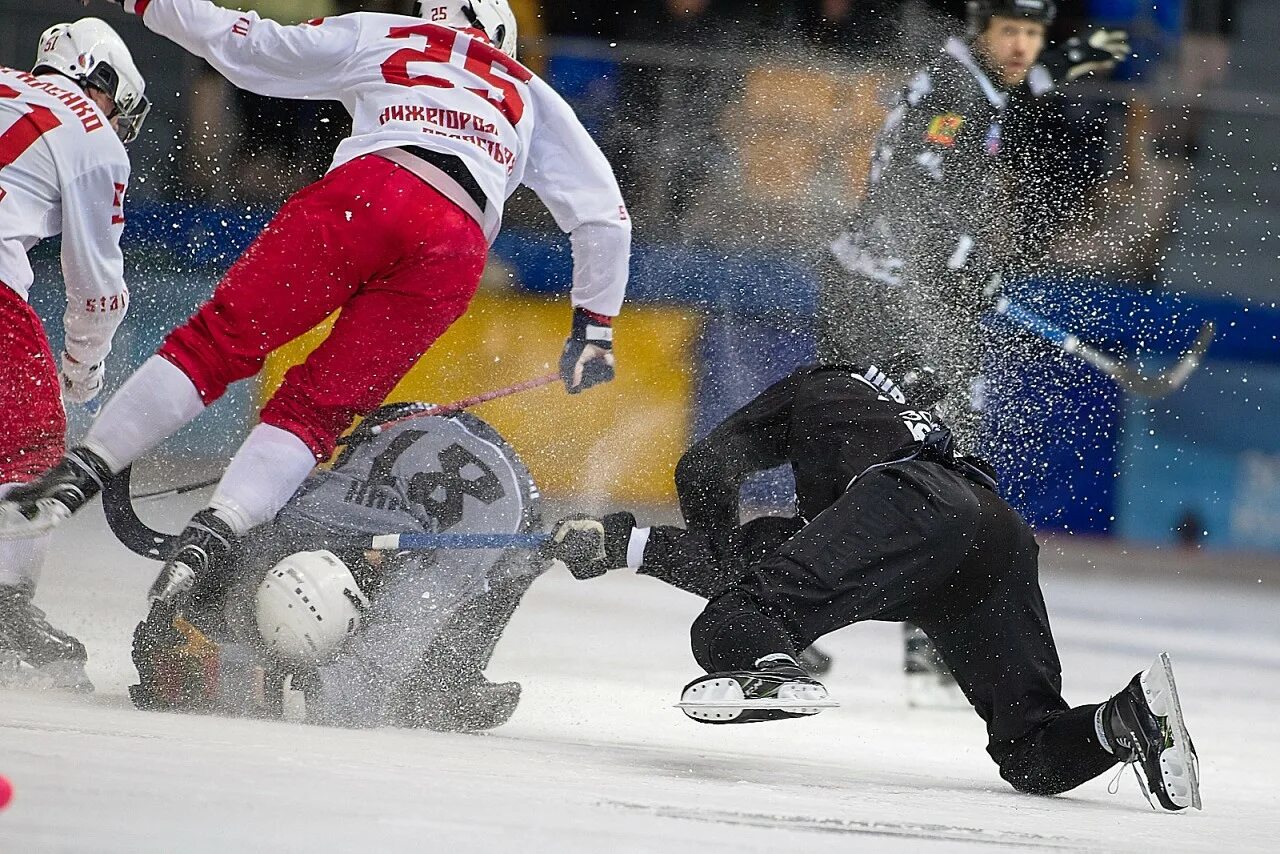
[[572, 176]]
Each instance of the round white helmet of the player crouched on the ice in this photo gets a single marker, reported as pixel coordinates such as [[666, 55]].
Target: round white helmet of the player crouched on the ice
[[308, 606]]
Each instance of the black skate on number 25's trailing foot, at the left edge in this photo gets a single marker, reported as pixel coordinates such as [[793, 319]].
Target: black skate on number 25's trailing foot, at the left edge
[[35, 508]]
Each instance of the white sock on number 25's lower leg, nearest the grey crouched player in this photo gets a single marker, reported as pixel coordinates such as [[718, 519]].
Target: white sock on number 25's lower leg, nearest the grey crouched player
[[264, 474]]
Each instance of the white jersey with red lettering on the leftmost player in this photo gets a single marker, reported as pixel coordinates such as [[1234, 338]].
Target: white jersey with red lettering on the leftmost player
[[65, 171]]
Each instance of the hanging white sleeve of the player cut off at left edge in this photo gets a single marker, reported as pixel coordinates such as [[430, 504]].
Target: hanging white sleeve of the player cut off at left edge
[[93, 264]]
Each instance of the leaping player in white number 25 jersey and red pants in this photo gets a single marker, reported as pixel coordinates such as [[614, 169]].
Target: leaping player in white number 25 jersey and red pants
[[447, 125]]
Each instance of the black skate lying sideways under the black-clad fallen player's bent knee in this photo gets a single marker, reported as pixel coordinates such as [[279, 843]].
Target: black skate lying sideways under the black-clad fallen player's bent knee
[[775, 691]]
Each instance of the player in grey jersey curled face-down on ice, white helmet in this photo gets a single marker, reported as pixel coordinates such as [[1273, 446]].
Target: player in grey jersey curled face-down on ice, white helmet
[[369, 638]]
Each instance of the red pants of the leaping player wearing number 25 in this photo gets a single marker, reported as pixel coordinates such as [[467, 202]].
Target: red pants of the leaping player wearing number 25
[[371, 239]]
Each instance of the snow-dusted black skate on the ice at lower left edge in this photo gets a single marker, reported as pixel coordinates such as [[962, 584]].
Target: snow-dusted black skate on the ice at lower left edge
[[34, 654]]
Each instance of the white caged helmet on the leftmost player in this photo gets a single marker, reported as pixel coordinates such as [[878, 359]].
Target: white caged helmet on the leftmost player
[[90, 53]]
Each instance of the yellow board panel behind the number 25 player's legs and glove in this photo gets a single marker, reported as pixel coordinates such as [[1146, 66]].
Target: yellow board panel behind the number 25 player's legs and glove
[[618, 442]]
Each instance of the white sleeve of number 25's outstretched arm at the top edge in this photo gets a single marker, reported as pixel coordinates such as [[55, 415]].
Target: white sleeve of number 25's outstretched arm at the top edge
[[258, 54]]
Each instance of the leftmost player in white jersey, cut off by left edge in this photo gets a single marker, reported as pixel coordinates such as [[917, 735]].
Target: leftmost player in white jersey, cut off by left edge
[[63, 170]]
